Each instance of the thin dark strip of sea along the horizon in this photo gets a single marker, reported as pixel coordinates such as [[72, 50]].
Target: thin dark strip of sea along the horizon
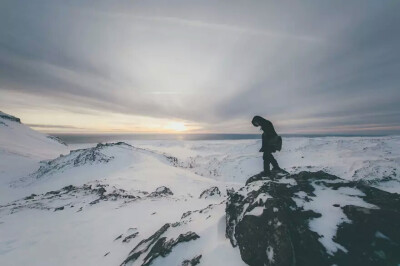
[[96, 138]]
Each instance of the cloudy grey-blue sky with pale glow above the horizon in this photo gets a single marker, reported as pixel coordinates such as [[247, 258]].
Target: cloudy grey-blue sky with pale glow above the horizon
[[206, 66]]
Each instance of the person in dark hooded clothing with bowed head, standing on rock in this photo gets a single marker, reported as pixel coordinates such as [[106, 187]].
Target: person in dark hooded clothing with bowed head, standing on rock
[[271, 142]]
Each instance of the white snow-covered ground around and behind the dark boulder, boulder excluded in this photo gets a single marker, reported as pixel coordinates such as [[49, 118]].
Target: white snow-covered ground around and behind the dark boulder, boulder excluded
[[93, 205]]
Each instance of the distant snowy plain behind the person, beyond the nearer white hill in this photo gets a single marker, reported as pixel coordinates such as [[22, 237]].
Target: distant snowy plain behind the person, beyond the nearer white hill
[[374, 160]]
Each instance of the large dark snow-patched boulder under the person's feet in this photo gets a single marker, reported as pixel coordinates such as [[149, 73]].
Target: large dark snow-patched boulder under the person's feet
[[314, 219]]
